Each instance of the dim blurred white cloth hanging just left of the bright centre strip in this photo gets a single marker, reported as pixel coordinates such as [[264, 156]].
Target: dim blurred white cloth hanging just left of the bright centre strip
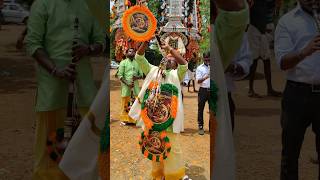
[[80, 160]]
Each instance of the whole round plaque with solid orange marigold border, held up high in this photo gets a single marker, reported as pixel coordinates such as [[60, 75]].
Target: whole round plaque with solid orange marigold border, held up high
[[139, 23]]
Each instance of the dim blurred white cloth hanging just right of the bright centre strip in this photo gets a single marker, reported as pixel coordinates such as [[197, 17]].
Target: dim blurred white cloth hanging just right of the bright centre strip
[[224, 162]]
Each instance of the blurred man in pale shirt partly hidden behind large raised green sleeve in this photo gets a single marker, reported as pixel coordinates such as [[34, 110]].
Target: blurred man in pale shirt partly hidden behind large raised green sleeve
[[238, 69]]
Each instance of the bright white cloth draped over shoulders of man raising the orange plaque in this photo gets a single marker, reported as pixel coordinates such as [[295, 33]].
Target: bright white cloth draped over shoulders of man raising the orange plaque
[[171, 78]]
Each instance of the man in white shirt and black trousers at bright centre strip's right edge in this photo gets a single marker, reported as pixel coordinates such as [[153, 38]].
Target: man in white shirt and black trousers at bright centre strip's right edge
[[203, 79]]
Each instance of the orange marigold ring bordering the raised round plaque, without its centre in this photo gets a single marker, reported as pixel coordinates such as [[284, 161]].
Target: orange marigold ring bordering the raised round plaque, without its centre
[[152, 23]]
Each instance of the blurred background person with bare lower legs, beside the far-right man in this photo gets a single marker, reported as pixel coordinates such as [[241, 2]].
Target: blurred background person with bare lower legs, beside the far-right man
[[261, 23]]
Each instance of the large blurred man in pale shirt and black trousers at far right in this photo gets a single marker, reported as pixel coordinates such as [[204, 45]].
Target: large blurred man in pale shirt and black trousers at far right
[[297, 45]]
